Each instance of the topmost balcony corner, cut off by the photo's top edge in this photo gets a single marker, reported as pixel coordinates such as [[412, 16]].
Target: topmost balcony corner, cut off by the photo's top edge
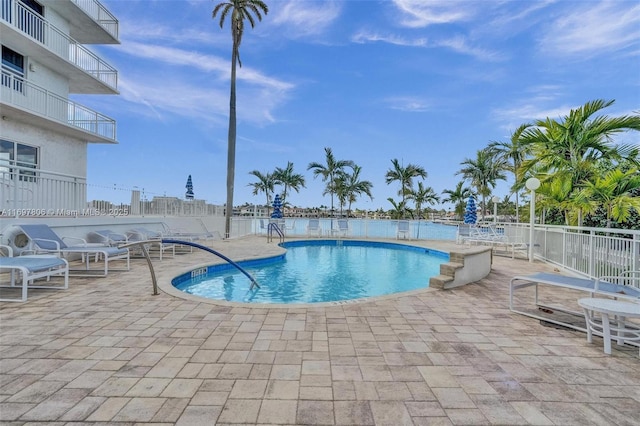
[[90, 22]]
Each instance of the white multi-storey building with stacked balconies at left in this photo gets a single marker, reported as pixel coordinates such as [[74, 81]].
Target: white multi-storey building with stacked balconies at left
[[43, 134]]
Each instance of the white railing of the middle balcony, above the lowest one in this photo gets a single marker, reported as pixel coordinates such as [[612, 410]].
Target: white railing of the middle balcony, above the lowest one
[[33, 25]]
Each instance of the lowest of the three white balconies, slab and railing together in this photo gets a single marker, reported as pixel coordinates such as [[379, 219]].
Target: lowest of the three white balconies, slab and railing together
[[30, 103]]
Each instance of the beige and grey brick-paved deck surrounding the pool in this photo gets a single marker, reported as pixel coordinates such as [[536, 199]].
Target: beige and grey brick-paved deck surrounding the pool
[[107, 350]]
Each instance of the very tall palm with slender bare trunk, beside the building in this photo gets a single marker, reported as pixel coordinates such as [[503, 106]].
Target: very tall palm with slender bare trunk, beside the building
[[238, 10]]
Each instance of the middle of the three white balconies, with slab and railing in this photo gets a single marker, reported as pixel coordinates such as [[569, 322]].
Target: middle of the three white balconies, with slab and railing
[[87, 73]]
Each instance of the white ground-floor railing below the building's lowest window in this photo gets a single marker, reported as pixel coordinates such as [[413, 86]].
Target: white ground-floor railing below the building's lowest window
[[30, 192]]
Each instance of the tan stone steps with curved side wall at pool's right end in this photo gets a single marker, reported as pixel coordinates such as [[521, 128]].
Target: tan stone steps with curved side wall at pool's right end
[[464, 267]]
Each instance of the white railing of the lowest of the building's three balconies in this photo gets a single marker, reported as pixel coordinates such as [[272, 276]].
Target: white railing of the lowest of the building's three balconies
[[22, 94]]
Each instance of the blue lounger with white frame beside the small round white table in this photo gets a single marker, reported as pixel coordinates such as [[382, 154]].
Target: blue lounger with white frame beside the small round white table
[[624, 286]]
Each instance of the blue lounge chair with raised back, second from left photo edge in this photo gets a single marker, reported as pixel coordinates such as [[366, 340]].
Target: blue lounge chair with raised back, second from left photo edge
[[42, 239]]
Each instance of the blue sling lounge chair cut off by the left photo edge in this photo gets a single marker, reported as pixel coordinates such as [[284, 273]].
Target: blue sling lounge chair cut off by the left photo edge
[[31, 268]]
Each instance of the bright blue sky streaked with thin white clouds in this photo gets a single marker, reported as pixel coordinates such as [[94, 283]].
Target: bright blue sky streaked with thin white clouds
[[426, 82]]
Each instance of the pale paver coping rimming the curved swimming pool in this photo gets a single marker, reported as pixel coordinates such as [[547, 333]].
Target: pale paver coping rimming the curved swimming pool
[[165, 279]]
